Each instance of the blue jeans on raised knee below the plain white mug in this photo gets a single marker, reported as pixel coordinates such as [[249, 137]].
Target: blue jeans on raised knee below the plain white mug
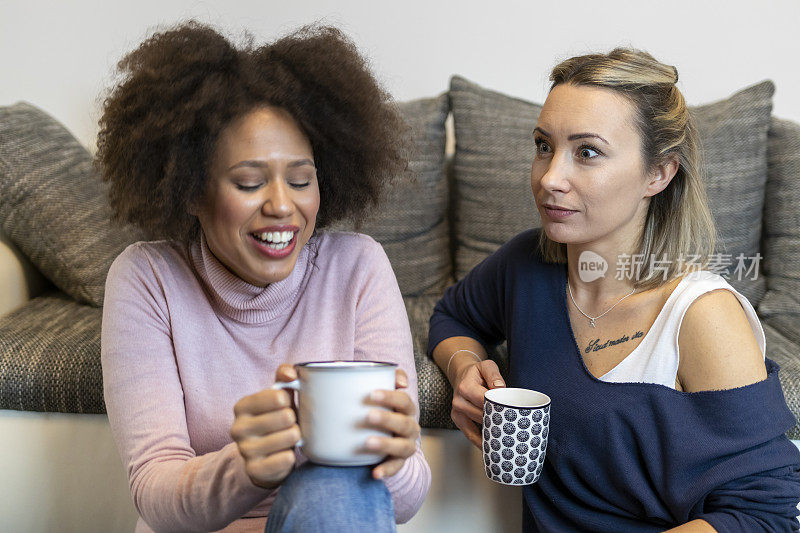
[[331, 499]]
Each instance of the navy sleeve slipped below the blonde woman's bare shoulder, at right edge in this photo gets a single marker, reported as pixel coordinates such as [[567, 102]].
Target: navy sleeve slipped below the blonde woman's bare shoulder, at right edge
[[740, 470]]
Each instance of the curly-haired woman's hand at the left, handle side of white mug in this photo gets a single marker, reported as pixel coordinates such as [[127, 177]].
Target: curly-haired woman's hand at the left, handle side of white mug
[[265, 430]]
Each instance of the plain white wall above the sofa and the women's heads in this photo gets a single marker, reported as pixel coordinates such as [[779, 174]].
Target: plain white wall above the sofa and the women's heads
[[60, 55]]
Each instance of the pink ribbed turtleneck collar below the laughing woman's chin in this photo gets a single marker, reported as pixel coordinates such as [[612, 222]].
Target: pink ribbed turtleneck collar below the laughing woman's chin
[[240, 300]]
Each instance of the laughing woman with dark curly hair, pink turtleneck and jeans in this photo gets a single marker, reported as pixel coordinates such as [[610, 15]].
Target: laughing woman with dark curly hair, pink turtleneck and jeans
[[233, 160]]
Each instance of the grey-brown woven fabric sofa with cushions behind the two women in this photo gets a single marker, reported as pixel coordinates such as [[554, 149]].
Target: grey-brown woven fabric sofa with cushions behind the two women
[[435, 224]]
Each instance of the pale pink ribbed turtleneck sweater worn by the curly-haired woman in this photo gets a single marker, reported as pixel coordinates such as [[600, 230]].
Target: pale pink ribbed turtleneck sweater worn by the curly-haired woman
[[184, 339]]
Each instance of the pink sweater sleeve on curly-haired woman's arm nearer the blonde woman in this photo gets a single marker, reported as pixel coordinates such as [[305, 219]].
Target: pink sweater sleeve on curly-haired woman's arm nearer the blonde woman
[[383, 333]]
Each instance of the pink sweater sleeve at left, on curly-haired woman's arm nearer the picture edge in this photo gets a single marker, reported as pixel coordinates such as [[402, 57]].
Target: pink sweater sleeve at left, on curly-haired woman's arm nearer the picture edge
[[173, 489]]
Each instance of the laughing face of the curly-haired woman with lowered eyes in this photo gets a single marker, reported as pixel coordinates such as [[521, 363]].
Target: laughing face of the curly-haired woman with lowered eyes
[[262, 197]]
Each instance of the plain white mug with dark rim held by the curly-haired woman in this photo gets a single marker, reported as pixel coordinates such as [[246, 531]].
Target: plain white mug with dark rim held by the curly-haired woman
[[332, 409]]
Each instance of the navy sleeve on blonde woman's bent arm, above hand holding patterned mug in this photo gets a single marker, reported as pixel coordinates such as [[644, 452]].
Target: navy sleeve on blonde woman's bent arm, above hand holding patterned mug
[[474, 306]]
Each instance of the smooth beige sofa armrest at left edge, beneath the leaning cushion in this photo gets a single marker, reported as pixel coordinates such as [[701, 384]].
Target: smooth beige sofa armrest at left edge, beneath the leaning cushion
[[19, 279]]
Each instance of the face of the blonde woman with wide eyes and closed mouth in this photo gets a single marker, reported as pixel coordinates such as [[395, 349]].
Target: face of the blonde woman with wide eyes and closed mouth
[[588, 176]]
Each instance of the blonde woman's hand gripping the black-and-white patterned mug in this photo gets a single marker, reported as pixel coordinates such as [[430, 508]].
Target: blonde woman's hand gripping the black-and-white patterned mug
[[469, 385]]
